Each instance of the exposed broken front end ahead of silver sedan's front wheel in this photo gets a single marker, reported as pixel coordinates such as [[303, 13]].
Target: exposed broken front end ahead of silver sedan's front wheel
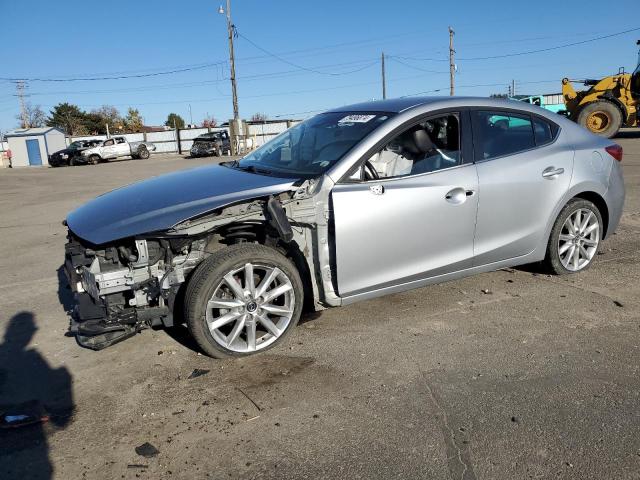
[[124, 288]]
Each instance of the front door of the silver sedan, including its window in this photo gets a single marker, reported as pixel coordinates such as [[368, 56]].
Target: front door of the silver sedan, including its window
[[416, 220]]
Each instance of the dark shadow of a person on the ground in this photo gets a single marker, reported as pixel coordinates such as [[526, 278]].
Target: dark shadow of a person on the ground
[[29, 387]]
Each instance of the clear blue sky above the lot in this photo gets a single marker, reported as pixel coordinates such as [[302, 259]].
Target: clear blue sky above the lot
[[341, 39]]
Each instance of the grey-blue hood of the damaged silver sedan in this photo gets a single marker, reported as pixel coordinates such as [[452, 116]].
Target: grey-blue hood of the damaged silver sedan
[[161, 202]]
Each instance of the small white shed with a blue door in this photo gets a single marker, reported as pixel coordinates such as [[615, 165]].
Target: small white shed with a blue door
[[32, 146]]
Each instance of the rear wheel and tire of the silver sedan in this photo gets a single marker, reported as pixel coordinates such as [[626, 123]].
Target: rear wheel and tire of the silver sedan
[[559, 259]]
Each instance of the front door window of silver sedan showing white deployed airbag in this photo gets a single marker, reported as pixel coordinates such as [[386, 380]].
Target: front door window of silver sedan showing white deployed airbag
[[429, 146]]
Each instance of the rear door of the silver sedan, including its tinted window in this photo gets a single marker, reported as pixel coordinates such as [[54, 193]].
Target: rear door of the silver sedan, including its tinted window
[[523, 173]]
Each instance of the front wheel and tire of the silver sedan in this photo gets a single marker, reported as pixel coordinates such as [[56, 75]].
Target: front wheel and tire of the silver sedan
[[243, 315]]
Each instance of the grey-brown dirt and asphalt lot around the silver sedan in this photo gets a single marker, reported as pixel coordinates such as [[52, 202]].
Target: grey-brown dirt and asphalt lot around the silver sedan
[[539, 378]]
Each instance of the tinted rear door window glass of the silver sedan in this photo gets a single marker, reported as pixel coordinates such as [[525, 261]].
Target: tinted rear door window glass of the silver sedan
[[503, 133]]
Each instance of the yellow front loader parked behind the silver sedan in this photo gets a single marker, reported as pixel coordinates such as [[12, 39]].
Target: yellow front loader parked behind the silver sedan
[[610, 104]]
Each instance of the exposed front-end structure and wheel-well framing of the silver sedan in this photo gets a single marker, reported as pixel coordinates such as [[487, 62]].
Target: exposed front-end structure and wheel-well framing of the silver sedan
[[124, 287]]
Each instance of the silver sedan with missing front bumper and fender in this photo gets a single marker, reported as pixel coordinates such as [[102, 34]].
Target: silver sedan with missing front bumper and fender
[[355, 203]]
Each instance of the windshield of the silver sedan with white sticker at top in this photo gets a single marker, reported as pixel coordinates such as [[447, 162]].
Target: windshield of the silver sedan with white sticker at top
[[313, 146]]
